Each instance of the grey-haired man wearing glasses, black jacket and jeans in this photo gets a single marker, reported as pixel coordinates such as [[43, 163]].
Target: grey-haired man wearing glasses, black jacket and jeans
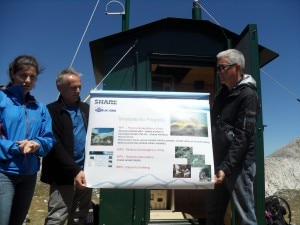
[[233, 116]]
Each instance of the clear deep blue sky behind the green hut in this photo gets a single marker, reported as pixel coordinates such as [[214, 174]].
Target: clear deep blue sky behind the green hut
[[58, 32]]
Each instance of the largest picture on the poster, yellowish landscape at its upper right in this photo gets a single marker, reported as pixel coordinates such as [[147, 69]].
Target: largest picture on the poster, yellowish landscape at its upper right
[[189, 124]]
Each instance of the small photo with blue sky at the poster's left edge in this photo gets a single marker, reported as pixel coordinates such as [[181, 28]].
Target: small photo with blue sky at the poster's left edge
[[102, 136]]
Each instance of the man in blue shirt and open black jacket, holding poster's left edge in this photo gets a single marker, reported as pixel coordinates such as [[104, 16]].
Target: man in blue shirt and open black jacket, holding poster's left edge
[[63, 167]]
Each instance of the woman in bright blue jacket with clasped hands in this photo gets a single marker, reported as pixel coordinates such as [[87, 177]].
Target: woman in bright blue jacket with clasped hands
[[25, 136]]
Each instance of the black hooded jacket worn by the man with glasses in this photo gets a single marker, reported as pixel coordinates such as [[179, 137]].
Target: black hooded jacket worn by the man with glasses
[[233, 117]]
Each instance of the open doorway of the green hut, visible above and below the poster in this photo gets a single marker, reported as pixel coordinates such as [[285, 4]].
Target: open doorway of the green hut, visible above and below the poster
[[180, 76]]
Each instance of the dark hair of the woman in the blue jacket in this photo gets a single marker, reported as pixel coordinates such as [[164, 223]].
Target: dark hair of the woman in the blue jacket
[[23, 61]]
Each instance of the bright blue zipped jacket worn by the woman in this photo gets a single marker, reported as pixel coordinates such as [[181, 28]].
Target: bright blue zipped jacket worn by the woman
[[22, 117]]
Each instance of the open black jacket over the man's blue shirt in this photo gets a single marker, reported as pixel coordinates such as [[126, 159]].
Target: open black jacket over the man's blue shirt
[[59, 166]]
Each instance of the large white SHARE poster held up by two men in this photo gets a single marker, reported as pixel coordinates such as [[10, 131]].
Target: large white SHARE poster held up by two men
[[149, 140]]
